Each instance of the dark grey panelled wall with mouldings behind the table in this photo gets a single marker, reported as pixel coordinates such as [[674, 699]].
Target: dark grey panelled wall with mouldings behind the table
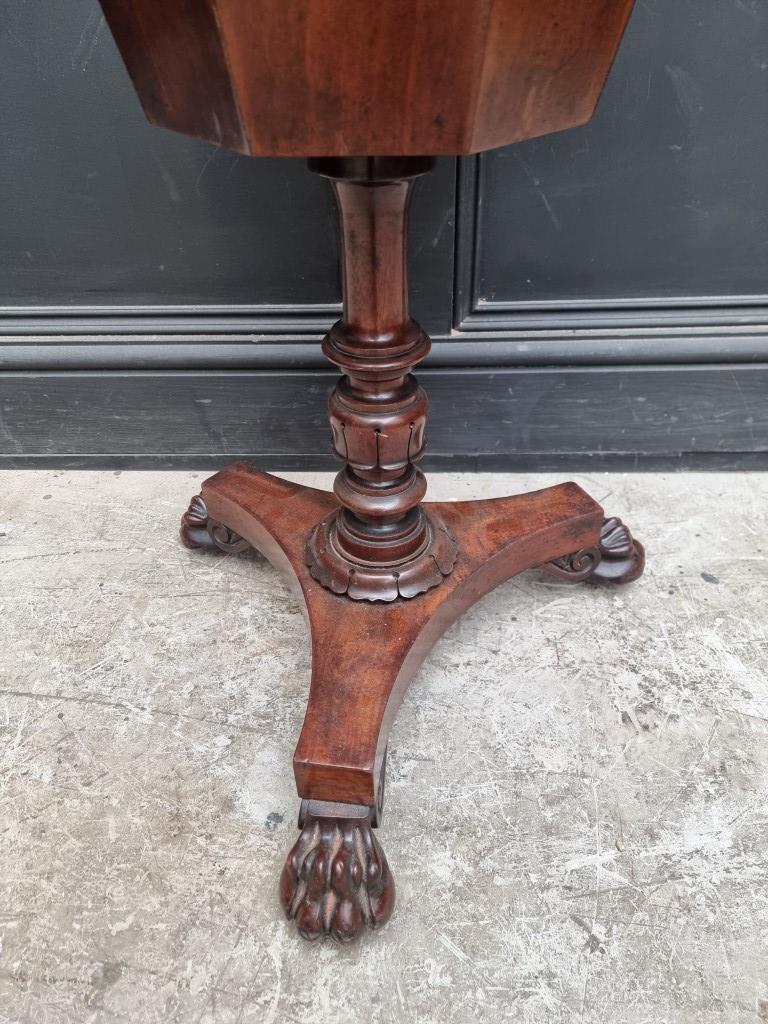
[[161, 272]]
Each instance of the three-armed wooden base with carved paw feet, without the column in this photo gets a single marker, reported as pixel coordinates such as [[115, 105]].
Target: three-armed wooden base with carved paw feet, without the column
[[365, 654]]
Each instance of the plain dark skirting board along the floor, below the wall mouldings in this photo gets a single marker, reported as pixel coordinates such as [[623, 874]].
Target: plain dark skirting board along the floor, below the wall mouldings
[[621, 418]]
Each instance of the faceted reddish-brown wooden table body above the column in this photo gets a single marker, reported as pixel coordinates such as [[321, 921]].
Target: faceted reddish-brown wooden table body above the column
[[335, 78]]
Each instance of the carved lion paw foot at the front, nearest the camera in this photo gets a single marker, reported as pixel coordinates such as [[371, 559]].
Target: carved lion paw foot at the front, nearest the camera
[[336, 881]]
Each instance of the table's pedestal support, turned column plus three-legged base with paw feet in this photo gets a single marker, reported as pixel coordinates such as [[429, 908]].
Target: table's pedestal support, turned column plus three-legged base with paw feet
[[382, 574]]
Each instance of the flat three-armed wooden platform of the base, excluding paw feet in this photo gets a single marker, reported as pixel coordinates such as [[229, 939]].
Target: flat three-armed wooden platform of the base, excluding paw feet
[[365, 656]]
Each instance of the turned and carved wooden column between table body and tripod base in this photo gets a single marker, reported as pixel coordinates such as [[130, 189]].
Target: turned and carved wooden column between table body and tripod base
[[378, 411]]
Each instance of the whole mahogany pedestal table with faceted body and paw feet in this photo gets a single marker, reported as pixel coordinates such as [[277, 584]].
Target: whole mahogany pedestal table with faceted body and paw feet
[[372, 91]]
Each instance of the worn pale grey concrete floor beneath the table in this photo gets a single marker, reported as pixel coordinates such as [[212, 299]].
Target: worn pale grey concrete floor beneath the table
[[577, 810]]
